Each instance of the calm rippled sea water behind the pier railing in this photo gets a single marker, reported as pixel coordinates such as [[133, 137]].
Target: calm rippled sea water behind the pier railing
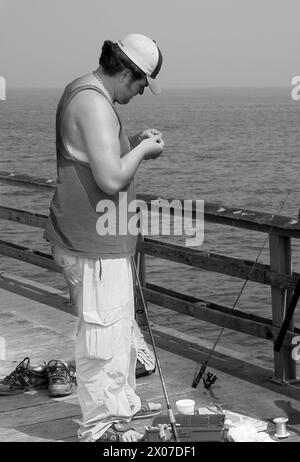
[[237, 147]]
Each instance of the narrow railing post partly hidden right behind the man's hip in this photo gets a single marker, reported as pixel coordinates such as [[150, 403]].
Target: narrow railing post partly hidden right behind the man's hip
[[141, 269]]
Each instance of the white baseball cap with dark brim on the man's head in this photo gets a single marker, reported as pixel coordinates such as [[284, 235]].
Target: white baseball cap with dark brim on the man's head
[[146, 55]]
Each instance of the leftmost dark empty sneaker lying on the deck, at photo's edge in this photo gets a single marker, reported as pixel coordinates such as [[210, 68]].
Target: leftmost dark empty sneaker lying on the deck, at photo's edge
[[24, 378]]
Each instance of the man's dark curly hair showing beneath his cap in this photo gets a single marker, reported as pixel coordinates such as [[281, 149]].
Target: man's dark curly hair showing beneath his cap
[[113, 60]]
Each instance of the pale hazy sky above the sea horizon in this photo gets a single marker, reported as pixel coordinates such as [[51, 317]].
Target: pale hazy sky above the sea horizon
[[204, 42]]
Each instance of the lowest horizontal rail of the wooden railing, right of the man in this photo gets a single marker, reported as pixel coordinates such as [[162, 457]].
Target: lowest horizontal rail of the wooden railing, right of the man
[[213, 313]]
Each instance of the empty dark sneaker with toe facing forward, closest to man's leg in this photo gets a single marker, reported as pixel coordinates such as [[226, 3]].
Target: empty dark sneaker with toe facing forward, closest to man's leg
[[61, 376]]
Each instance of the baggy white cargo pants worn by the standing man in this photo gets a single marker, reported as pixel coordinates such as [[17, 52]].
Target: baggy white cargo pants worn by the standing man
[[105, 350]]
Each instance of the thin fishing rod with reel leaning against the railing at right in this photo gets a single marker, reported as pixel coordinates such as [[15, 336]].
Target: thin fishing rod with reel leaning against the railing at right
[[199, 375]]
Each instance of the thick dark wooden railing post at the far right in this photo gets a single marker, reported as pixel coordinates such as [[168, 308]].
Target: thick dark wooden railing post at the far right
[[281, 262]]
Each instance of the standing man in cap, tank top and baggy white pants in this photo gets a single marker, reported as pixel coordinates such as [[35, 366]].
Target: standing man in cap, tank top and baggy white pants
[[96, 161]]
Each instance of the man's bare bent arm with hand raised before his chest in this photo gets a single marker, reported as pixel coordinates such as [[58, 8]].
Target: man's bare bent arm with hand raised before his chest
[[98, 128]]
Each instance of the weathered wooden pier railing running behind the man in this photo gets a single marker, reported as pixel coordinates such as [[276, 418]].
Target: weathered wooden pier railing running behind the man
[[278, 275]]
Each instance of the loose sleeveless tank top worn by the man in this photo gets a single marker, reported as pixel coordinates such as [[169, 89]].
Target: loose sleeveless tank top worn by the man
[[73, 221]]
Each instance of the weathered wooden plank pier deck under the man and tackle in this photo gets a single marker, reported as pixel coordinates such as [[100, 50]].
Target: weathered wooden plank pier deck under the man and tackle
[[37, 321]]
